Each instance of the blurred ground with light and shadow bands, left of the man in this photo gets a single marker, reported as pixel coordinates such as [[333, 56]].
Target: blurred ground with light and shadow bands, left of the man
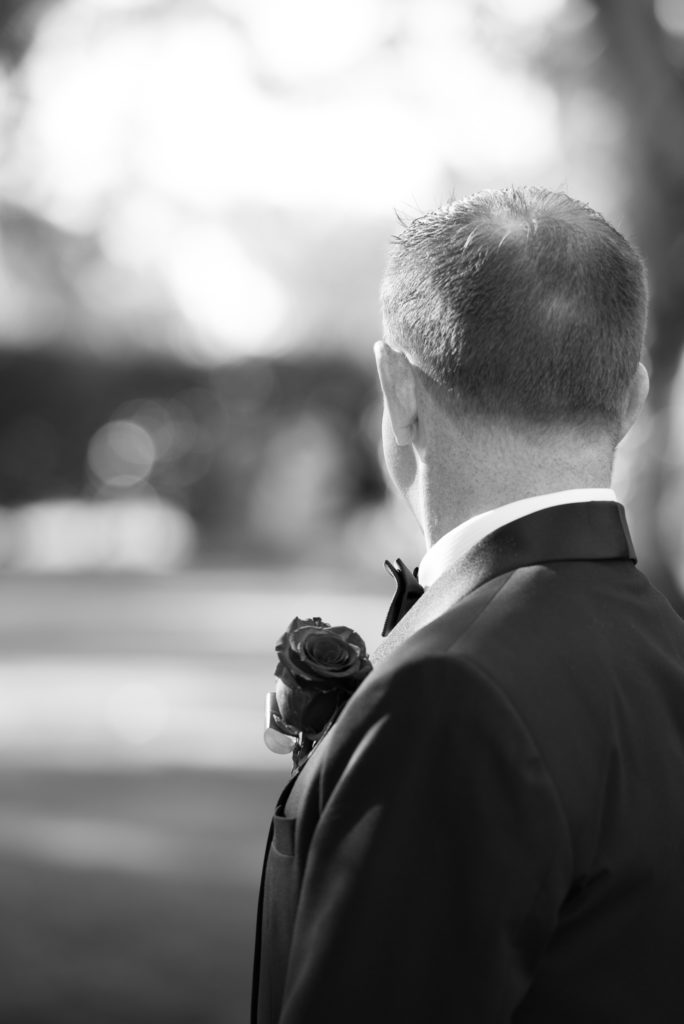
[[136, 790]]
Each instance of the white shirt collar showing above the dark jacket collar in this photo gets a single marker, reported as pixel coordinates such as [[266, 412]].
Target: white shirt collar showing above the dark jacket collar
[[454, 545]]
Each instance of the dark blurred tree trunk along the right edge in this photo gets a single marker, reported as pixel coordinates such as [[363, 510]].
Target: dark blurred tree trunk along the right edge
[[645, 72]]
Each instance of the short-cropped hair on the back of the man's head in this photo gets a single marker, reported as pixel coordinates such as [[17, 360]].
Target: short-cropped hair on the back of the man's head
[[522, 306]]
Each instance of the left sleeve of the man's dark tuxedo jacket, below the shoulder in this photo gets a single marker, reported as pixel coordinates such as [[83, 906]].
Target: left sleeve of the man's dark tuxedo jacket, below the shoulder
[[439, 864]]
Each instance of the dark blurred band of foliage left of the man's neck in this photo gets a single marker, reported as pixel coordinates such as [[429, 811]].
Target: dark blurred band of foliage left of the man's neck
[[226, 440]]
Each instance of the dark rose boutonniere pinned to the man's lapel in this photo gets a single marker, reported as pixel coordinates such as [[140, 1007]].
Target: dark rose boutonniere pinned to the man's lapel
[[319, 668]]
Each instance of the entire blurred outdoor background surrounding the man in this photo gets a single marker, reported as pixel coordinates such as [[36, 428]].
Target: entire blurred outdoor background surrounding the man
[[196, 202]]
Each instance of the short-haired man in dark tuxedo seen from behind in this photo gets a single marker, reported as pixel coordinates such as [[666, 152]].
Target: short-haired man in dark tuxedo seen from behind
[[494, 829]]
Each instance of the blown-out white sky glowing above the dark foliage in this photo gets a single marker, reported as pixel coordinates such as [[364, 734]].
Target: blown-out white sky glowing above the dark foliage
[[151, 124]]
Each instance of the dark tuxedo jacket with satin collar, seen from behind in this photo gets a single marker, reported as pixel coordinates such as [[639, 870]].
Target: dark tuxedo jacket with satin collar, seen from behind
[[494, 830]]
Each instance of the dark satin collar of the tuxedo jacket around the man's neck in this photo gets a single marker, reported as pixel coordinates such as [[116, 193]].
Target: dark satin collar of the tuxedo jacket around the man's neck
[[587, 532]]
